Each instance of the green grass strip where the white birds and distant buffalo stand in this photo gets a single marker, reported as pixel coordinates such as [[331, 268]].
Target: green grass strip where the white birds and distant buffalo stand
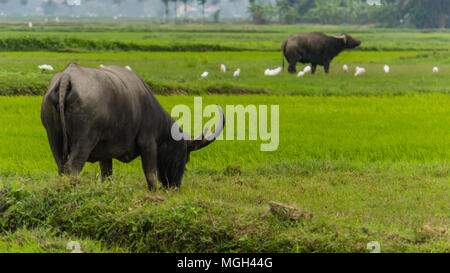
[[179, 72]]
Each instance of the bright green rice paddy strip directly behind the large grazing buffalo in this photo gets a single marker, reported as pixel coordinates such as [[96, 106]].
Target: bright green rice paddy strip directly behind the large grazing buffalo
[[348, 129]]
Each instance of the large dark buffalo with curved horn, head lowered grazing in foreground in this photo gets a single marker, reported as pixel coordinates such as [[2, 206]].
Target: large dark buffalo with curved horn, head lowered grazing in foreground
[[99, 114]]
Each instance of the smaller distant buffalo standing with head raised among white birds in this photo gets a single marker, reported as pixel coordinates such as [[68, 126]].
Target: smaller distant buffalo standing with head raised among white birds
[[315, 48]]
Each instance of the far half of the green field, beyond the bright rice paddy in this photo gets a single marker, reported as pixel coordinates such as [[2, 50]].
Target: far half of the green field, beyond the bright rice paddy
[[149, 50]]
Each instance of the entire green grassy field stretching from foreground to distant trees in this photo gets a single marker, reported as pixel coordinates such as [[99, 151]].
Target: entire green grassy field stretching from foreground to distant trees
[[359, 159]]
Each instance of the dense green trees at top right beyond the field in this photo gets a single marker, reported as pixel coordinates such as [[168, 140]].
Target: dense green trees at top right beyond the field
[[416, 13]]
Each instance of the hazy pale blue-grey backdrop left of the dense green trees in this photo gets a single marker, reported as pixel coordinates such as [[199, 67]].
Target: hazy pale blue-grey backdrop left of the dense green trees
[[131, 8]]
